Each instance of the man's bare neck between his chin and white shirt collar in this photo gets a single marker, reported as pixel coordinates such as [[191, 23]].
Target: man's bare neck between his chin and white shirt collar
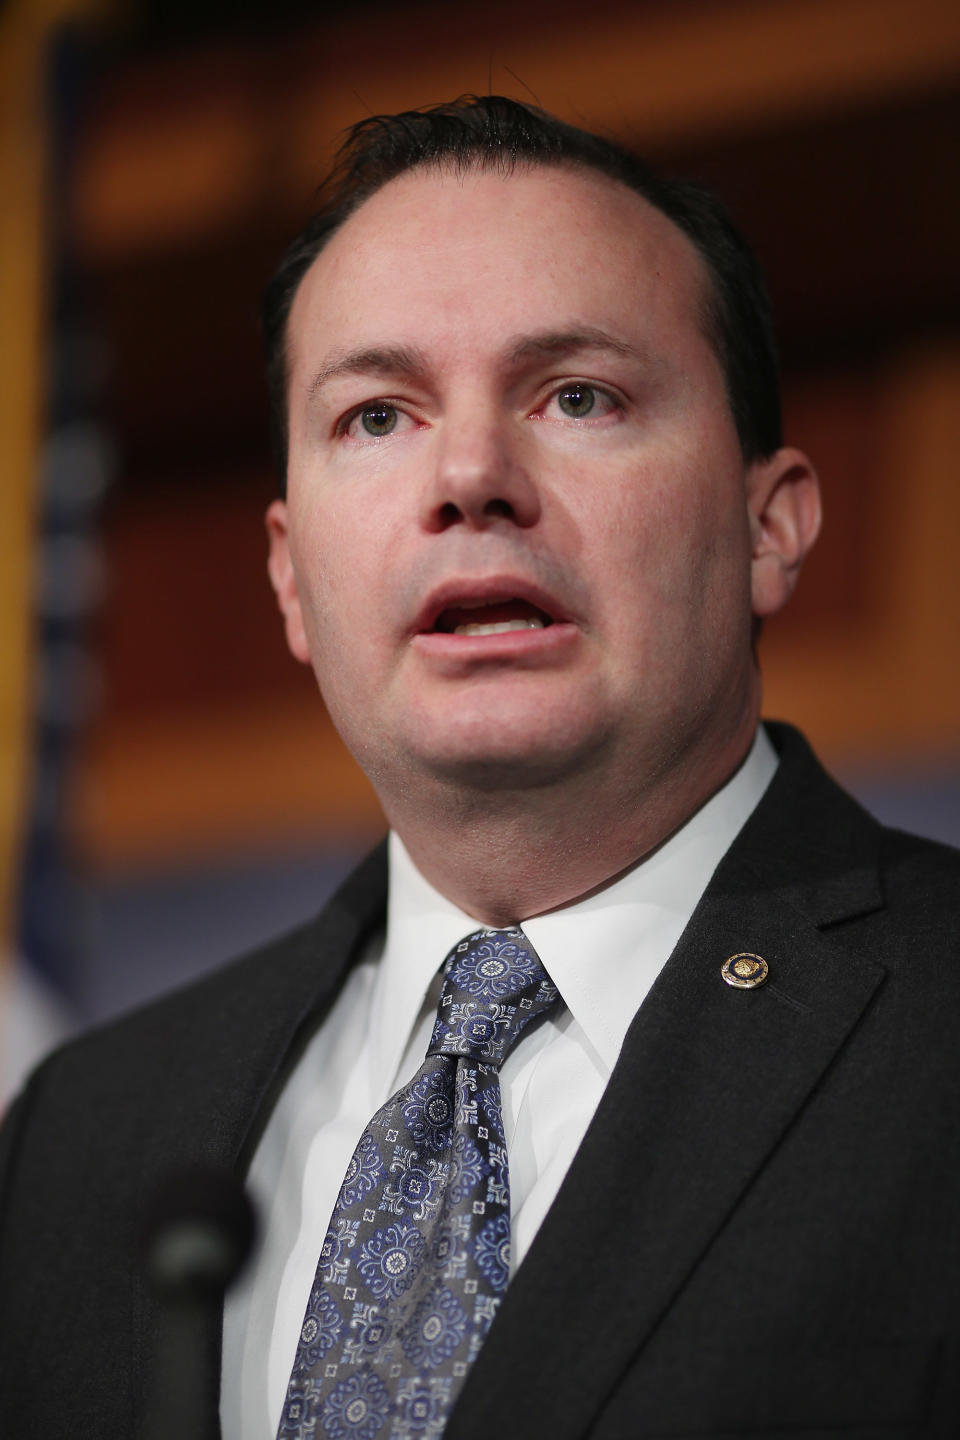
[[504, 858]]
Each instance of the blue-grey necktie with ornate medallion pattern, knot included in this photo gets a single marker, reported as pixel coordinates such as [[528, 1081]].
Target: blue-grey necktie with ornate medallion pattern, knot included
[[417, 1258]]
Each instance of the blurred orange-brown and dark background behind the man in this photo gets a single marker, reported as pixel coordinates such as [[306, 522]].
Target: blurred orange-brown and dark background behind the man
[[171, 787]]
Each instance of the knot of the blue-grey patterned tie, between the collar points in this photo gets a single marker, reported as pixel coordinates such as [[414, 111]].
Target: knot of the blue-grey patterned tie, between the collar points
[[494, 984]]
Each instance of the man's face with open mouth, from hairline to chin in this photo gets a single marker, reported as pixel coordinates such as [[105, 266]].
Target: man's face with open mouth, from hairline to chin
[[517, 538]]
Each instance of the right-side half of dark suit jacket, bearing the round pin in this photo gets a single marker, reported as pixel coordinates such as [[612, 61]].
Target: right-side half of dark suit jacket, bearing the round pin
[[764, 1210]]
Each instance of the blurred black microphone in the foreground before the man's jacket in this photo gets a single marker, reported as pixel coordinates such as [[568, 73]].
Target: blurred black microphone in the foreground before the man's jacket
[[196, 1236]]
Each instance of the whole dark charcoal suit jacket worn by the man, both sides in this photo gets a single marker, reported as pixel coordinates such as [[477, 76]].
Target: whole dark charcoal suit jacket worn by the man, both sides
[[761, 1233]]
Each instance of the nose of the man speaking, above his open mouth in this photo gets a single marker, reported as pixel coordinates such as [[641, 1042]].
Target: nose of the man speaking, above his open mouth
[[480, 477]]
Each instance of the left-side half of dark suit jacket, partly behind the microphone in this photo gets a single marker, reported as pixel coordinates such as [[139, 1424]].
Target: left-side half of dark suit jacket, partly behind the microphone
[[184, 1082]]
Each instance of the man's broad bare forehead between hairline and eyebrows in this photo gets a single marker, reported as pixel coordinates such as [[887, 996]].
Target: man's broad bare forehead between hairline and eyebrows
[[463, 260]]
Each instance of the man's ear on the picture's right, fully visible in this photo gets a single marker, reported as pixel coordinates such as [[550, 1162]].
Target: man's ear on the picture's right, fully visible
[[784, 503]]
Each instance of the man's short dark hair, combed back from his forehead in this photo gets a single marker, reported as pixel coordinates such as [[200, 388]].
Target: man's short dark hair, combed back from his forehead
[[490, 132]]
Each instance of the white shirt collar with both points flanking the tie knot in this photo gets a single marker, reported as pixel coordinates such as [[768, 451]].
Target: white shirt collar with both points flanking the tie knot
[[602, 954]]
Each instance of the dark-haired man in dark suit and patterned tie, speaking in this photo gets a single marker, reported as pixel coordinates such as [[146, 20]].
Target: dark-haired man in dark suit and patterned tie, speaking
[[536, 508]]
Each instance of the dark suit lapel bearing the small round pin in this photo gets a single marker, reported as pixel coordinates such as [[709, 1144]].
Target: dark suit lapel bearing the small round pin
[[709, 1081]]
